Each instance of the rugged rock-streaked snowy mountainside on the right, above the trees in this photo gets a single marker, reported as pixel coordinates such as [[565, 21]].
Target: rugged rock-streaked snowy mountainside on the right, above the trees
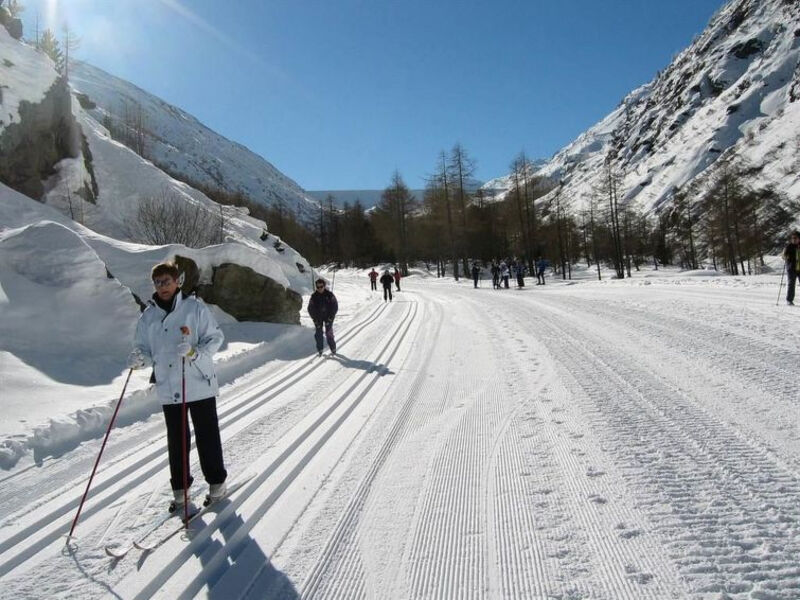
[[734, 92]]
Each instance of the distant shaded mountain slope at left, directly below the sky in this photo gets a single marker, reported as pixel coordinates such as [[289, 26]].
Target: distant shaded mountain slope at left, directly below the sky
[[183, 146]]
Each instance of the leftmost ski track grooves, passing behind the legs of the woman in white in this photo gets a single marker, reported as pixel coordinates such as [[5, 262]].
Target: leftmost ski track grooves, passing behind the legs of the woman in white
[[35, 533]]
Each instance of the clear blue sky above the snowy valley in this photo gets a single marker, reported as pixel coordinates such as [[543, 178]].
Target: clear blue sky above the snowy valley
[[338, 94]]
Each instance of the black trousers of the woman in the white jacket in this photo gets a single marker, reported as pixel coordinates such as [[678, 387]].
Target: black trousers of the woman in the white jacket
[[206, 432]]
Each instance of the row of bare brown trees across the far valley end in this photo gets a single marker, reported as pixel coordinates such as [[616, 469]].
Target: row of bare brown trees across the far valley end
[[722, 223]]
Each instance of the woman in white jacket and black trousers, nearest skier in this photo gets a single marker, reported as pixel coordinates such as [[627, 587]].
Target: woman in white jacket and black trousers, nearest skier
[[176, 328]]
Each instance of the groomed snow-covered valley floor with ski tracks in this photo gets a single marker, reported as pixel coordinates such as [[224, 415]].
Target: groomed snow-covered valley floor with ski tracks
[[614, 439]]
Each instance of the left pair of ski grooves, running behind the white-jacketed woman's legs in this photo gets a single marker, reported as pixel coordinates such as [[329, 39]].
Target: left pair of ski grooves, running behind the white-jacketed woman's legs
[[52, 526]]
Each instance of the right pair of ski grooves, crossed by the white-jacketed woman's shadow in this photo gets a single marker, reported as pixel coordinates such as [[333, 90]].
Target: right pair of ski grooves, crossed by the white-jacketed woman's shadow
[[250, 509]]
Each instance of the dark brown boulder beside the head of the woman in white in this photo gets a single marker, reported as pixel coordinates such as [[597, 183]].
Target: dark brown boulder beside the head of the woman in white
[[242, 293]]
